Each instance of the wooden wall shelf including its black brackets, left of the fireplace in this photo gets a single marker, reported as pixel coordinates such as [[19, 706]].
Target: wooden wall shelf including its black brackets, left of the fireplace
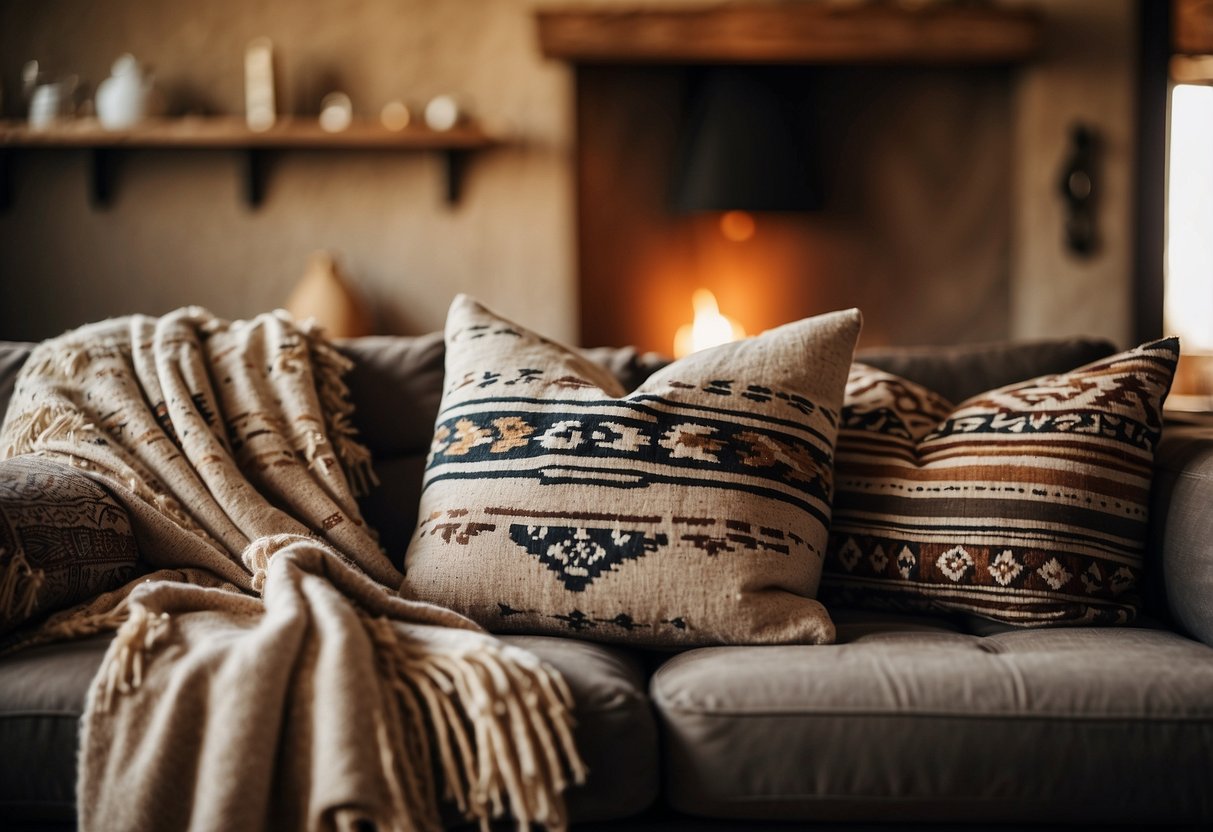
[[218, 134]]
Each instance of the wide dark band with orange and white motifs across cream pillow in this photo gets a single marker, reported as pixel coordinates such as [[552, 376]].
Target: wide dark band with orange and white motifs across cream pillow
[[634, 443]]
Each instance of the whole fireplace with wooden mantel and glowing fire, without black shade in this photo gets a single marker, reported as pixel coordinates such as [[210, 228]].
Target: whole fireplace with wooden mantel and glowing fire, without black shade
[[914, 126]]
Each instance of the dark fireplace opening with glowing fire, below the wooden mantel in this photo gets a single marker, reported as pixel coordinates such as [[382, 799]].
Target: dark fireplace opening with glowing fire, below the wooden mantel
[[906, 214]]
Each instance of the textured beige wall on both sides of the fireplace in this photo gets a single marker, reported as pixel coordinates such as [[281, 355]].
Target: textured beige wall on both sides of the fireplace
[[179, 232]]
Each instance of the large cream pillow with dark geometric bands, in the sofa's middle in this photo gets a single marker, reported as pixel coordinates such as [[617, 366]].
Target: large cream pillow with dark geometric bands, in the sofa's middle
[[691, 511]]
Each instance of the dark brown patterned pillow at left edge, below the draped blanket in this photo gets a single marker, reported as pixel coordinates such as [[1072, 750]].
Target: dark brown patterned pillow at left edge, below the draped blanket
[[64, 539]]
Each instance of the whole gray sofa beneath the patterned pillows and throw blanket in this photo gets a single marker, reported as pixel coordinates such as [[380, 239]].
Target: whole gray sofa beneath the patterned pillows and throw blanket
[[906, 720]]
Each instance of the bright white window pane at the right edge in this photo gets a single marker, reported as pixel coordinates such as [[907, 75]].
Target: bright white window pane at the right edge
[[1189, 286]]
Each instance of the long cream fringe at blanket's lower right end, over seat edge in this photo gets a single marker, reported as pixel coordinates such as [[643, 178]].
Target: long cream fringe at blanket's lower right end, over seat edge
[[503, 725]]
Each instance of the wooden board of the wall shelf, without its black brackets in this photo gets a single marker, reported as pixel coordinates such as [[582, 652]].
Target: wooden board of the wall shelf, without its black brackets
[[232, 134]]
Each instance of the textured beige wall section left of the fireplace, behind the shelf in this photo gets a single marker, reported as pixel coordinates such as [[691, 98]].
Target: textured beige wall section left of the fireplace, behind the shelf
[[179, 231]]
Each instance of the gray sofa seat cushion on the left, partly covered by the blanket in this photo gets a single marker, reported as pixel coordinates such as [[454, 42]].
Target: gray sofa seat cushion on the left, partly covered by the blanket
[[43, 693]]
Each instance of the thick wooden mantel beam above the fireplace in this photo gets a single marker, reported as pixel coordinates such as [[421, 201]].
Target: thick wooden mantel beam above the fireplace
[[793, 33]]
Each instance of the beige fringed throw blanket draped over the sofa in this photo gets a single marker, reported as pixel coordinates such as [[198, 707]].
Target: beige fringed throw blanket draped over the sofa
[[267, 675]]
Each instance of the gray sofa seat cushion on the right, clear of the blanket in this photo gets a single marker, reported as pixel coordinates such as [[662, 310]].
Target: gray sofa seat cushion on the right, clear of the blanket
[[907, 721]]
